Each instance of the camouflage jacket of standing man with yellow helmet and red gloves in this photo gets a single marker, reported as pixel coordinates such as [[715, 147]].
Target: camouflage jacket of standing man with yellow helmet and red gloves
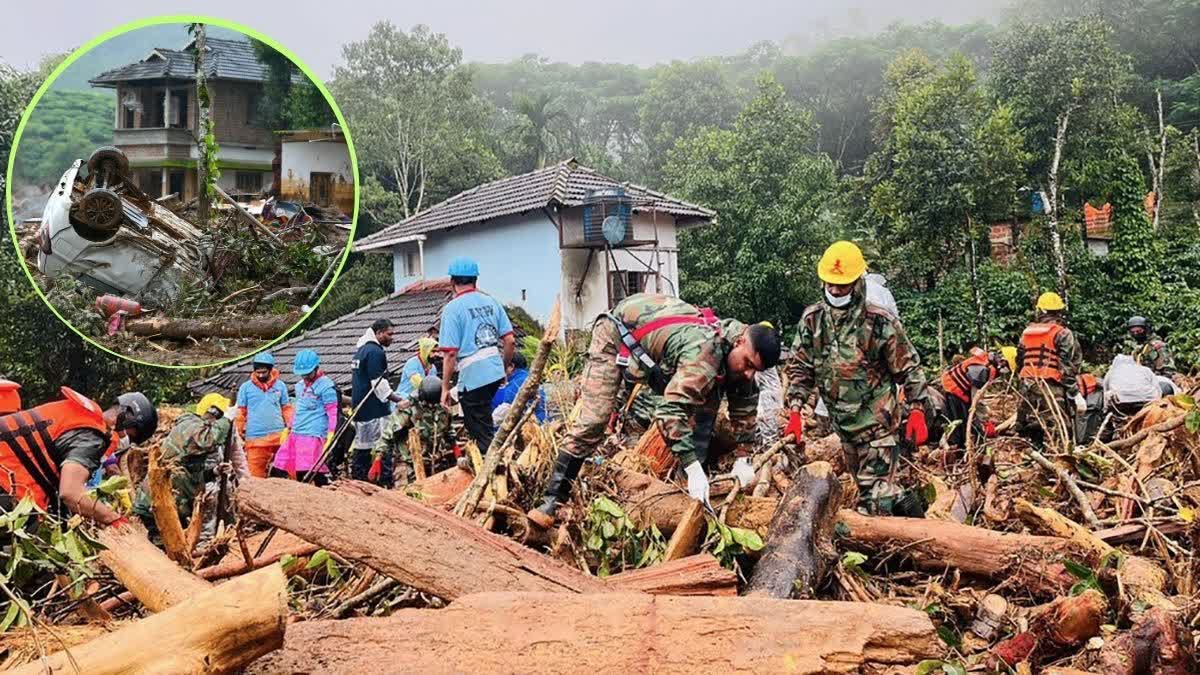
[[857, 359]]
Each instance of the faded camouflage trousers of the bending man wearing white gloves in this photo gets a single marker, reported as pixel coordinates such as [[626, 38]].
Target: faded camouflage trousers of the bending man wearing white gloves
[[601, 392]]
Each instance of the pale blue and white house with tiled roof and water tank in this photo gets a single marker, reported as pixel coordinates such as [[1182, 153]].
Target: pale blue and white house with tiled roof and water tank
[[566, 231]]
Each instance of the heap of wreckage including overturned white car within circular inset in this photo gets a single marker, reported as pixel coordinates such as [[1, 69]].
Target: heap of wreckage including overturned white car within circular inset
[[147, 279]]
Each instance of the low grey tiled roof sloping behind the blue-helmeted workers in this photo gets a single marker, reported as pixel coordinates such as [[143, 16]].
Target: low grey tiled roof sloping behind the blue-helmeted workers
[[415, 312]]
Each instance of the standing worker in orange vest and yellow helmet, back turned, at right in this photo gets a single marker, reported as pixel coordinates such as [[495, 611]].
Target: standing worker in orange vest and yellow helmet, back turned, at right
[[1048, 362]]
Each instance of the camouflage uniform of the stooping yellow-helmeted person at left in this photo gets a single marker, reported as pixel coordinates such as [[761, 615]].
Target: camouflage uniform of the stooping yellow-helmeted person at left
[[193, 451]]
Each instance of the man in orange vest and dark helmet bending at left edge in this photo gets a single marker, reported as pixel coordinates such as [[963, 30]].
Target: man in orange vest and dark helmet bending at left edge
[[49, 452]]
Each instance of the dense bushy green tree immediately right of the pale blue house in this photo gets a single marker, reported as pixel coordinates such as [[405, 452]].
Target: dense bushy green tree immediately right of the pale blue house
[[773, 198]]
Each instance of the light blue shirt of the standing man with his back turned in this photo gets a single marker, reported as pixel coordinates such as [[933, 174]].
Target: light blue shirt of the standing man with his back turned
[[473, 325]]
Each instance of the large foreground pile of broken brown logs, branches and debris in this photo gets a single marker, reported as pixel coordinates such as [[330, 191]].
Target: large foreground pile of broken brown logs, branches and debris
[[1060, 560]]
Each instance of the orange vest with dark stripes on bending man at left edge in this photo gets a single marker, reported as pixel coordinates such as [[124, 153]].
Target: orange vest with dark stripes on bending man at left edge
[[31, 462]]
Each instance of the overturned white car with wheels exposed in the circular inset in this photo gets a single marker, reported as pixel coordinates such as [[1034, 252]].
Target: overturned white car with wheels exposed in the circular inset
[[105, 232]]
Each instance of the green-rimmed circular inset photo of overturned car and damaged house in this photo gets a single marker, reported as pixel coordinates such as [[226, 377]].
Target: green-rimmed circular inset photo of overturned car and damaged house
[[183, 194]]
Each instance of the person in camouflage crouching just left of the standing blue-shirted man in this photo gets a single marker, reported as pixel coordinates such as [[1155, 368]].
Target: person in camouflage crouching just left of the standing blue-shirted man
[[422, 411]]
